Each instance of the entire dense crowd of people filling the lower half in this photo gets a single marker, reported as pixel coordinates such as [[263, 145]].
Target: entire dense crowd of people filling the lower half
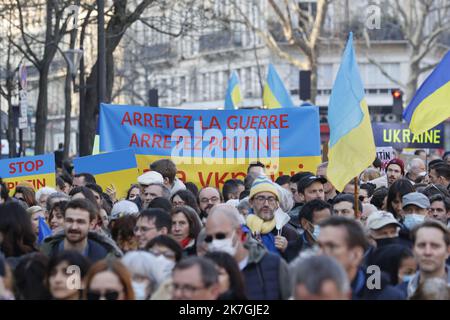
[[293, 238]]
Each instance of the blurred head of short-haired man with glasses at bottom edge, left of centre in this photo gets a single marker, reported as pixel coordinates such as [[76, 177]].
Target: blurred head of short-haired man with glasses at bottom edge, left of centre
[[195, 278]]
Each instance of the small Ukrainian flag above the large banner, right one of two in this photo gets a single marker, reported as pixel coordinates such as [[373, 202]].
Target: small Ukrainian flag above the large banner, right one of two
[[275, 94]]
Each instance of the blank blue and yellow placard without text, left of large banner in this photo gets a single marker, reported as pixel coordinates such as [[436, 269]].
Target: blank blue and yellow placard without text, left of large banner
[[116, 168]]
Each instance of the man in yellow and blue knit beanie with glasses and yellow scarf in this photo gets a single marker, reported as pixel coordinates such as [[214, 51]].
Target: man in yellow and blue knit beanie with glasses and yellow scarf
[[264, 201]]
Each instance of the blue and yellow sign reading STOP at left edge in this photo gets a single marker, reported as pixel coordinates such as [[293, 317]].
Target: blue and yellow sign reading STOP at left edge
[[37, 170]]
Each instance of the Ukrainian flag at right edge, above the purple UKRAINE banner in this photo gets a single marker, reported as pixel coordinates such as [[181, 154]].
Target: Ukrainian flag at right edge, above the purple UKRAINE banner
[[431, 103]]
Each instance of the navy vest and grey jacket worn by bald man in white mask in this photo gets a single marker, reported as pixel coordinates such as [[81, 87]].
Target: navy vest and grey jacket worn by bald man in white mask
[[266, 274]]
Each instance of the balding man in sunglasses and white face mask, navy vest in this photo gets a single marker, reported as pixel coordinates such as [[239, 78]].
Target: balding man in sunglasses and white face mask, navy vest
[[266, 274]]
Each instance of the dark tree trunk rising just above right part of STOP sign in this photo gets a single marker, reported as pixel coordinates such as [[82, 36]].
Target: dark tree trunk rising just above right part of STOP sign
[[41, 111]]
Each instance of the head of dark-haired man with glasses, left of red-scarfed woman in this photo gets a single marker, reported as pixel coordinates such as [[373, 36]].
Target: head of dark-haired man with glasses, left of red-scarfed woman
[[151, 223]]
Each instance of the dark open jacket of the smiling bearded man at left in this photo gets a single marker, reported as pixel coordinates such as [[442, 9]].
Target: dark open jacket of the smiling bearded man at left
[[99, 246]]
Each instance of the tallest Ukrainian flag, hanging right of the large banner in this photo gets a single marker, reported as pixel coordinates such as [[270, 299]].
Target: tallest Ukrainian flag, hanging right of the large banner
[[351, 146]]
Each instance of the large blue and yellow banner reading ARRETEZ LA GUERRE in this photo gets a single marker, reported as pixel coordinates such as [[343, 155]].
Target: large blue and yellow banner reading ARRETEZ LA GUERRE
[[212, 146]]
